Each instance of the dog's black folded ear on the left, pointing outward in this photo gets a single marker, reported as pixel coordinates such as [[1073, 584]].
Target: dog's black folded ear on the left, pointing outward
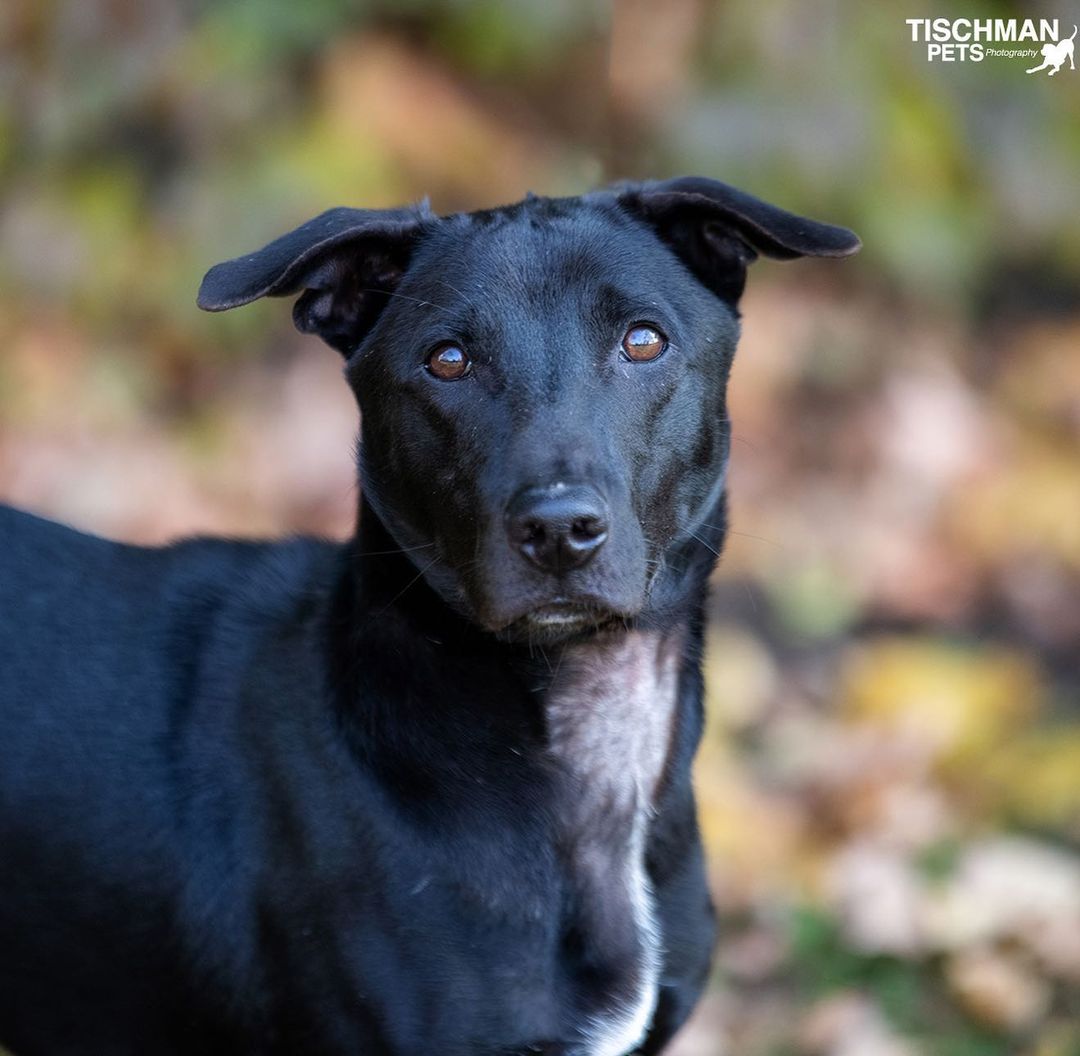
[[347, 262]]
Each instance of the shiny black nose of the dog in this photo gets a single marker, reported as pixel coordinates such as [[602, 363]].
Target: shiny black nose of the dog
[[558, 529]]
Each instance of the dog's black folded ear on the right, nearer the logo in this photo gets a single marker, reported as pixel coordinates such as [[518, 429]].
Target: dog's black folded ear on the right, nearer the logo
[[718, 231]]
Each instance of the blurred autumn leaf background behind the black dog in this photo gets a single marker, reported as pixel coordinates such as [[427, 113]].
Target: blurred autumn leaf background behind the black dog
[[890, 784]]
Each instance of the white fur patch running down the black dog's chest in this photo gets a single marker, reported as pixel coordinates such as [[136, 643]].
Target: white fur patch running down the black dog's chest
[[611, 712]]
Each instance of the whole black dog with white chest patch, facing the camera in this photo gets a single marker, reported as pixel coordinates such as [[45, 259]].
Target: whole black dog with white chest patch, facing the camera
[[428, 792]]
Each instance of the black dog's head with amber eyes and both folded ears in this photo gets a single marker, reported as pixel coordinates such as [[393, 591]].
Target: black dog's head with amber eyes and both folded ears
[[542, 386]]
